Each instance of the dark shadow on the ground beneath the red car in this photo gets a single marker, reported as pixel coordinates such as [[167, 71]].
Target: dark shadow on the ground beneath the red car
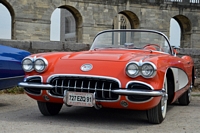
[[105, 116]]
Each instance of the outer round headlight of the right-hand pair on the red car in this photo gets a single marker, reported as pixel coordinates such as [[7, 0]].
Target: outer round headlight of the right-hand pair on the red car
[[148, 70]]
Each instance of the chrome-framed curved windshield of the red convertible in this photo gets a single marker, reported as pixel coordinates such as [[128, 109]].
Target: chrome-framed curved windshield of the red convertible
[[132, 39]]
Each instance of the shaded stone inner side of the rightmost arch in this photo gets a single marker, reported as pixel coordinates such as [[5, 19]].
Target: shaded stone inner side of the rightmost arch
[[185, 25]]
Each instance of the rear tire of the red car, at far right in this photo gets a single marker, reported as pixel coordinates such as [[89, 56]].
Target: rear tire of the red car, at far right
[[185, 98]]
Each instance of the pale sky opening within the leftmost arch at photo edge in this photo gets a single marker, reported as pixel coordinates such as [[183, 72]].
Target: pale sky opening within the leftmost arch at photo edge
[[5, 23]]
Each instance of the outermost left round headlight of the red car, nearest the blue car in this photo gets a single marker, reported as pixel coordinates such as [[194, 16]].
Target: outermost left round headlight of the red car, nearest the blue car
[[27, 65]]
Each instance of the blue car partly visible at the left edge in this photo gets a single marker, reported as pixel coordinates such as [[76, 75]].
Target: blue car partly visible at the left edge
[[11, 72]]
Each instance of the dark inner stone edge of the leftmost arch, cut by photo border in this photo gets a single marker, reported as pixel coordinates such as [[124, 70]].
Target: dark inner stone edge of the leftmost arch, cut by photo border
[[12, 14]]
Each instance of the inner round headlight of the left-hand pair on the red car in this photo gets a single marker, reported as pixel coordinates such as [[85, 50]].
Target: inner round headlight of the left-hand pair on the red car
[[40, 64]]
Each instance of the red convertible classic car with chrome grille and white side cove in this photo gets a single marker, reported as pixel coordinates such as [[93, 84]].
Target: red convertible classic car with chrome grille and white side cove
[[128, 69]]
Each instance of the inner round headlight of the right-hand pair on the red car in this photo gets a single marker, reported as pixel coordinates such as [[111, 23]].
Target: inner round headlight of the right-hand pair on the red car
[[132, 70]]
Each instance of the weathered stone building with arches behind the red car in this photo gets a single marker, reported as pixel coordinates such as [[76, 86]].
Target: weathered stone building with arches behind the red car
[[31, 19]]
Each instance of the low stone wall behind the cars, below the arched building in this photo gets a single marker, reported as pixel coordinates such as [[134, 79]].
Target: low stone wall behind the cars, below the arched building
[[39, 46]]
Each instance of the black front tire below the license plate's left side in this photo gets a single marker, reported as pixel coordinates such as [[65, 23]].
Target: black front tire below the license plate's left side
[[48, 108]]
